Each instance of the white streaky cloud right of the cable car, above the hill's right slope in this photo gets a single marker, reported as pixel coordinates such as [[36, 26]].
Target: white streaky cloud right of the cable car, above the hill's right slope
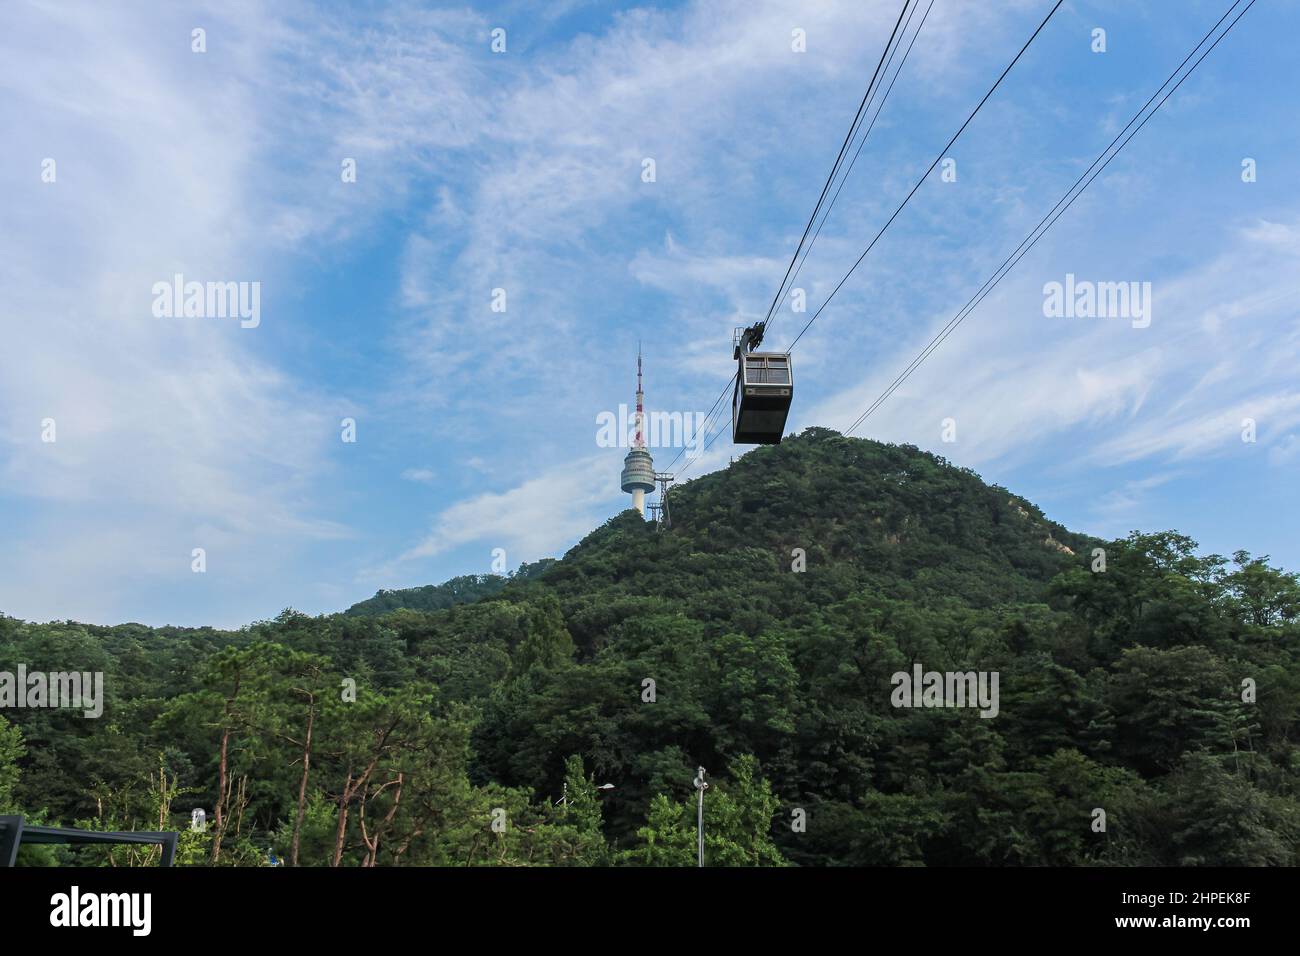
[[1016, 380]]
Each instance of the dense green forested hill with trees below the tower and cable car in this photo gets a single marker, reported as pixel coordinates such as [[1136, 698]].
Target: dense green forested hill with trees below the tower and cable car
[[757, 638]]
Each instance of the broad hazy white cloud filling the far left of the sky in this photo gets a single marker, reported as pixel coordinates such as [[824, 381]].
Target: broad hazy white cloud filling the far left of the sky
[[171, 434]]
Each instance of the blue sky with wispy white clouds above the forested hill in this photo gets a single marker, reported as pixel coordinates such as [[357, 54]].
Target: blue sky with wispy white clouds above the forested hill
[[523, 171]]
